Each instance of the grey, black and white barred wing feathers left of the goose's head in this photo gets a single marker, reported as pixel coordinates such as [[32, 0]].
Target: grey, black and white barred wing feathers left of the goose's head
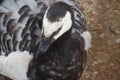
[[20, 25]]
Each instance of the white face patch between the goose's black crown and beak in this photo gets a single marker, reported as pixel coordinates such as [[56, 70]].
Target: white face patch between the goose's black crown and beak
[[64, 23]]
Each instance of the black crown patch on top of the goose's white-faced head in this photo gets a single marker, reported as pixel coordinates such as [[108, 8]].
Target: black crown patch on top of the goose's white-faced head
[[57, 11]]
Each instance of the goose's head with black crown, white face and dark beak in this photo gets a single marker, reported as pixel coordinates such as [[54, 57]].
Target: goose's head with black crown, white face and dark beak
[[57, 21]]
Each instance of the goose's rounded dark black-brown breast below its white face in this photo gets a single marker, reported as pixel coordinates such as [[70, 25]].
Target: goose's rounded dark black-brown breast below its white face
[[64, 60]]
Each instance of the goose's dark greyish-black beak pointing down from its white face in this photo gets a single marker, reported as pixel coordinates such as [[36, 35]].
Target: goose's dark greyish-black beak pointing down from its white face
[[44, 45]]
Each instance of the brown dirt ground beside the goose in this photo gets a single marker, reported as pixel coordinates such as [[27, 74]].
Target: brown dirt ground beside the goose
[[103, 61]]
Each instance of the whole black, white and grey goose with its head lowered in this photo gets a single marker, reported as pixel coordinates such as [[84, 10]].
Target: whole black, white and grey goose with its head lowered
[[43, 40]]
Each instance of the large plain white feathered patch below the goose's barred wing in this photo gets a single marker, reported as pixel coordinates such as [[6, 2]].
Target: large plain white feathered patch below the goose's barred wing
[[15, 65]]
